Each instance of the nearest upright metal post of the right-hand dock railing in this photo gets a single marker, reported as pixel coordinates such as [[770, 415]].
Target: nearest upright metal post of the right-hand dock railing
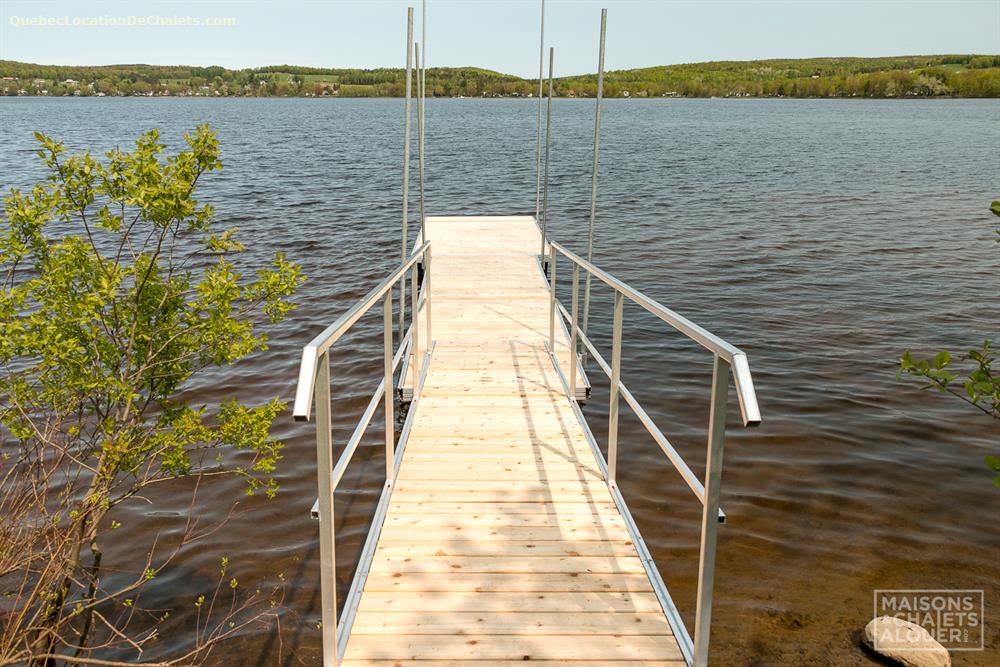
[[710, 513]]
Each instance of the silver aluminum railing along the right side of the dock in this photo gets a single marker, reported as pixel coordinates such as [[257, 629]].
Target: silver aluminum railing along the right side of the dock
[[727, 358]]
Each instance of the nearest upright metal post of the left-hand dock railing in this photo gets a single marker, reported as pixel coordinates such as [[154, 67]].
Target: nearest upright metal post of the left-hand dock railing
[[324, 473]]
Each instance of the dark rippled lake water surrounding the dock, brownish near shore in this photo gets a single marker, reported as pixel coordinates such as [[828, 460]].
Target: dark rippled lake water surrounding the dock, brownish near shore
[[823, 237]]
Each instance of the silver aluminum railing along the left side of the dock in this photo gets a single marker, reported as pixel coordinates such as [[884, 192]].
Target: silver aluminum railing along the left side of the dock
[[314, 386]]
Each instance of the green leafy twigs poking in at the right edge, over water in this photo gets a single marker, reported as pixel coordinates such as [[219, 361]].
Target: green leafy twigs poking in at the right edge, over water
[[980, 382]]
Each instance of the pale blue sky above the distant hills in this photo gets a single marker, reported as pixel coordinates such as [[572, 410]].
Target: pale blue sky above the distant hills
[[500, 35]]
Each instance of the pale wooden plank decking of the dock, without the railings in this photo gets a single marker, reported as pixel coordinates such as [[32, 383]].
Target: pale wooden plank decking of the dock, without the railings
[[502, 542]]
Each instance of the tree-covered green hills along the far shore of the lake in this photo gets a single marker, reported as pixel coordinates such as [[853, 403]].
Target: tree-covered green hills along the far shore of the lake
[[898, 76]]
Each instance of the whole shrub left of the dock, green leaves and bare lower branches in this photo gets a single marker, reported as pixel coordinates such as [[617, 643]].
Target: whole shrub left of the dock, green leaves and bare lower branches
[[116, 292]]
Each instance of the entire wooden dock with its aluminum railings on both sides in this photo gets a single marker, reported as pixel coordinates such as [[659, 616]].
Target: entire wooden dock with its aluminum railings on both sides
[[501, 535]]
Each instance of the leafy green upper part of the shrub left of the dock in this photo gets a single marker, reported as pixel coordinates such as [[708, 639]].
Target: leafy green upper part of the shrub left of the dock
[[111, 303]]
